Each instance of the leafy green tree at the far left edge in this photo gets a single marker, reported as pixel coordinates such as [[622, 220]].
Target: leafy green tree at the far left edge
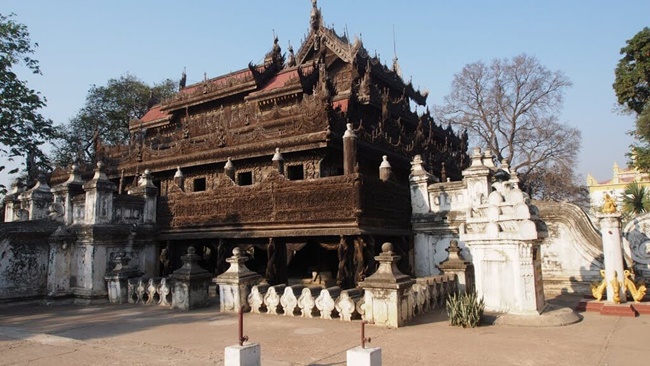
[[23, 130]]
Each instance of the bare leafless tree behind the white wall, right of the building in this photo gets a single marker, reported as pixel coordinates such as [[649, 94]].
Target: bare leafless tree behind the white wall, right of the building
[[511, 107]]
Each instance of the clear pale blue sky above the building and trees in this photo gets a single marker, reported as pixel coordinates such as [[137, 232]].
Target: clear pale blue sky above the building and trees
[[84, 43]]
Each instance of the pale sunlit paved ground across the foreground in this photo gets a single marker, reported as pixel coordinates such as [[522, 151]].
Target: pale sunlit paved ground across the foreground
[[150, 335]]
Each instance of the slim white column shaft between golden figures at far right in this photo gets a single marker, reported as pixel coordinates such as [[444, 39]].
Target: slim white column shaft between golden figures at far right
[[610, 226]]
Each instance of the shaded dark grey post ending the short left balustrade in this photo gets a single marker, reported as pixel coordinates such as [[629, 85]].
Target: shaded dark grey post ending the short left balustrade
[[190, 283]]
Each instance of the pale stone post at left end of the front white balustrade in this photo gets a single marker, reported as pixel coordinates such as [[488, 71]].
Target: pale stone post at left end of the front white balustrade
[[235, 284]]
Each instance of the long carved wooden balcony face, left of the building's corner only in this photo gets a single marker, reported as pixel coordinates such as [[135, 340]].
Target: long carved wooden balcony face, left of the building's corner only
[[274, 200]]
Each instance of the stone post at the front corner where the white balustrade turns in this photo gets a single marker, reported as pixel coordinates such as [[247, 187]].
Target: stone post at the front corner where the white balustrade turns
[[386, 297]]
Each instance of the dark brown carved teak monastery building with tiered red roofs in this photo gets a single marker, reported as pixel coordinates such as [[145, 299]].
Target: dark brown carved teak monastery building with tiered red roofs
[[303, 161]]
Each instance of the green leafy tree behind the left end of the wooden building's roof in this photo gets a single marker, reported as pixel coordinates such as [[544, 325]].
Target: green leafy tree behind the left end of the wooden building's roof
[[106, 114]]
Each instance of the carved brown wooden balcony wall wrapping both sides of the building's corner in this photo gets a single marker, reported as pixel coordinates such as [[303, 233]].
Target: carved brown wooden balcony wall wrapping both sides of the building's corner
[[339, 205]]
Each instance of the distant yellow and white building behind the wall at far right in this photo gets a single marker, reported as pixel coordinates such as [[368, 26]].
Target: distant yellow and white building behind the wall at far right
[[615, 186]]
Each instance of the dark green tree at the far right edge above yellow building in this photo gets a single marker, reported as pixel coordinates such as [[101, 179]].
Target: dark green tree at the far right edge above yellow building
[[632, 87]]
